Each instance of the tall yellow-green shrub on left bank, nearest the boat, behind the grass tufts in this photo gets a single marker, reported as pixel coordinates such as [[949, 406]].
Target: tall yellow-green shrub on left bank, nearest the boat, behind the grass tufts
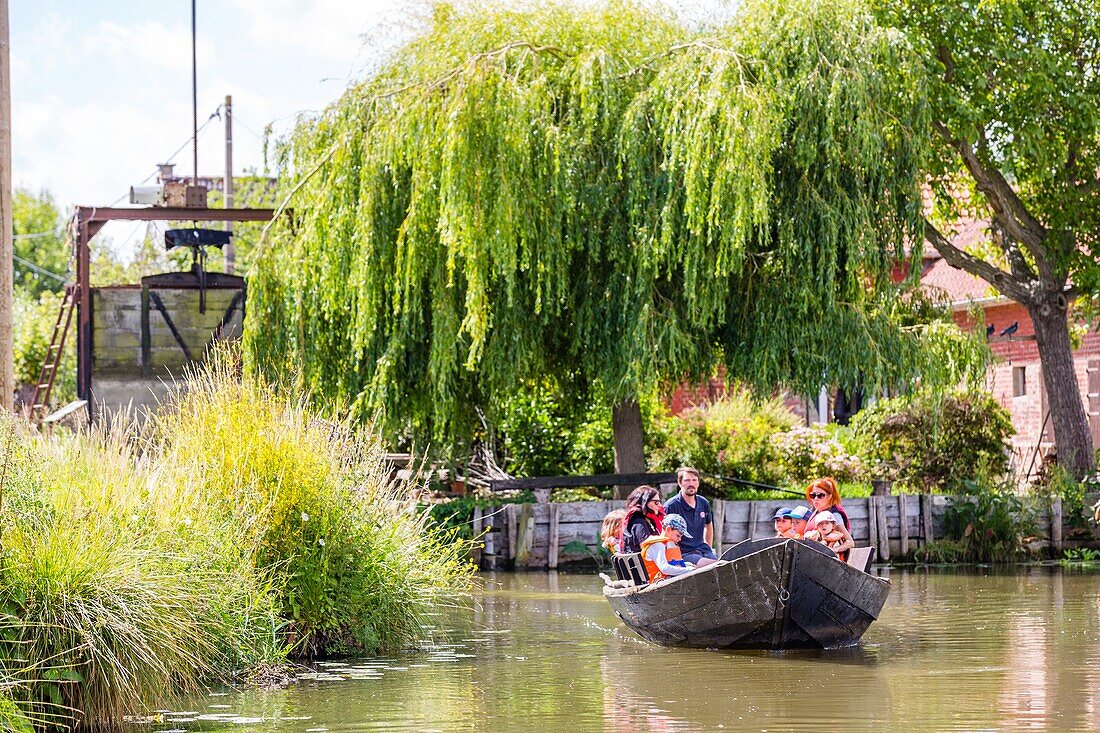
[[357, 566]]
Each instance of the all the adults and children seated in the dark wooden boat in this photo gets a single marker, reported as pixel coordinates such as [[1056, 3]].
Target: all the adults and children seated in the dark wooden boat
[[677, 537]]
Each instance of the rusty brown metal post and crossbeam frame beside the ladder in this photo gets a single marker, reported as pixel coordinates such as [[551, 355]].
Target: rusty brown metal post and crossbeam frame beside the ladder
[[89, 222]]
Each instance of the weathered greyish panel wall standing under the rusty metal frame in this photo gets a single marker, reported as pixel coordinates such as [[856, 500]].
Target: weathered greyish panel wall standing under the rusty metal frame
[[117, 379]]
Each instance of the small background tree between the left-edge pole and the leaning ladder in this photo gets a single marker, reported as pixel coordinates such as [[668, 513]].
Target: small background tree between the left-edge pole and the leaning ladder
[[41, 251]]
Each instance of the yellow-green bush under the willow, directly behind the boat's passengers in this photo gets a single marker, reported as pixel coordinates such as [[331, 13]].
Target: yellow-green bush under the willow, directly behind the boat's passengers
[[729, 437]]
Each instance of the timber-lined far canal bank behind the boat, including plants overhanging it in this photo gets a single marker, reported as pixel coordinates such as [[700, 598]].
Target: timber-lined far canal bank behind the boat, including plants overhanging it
[[908, 528]]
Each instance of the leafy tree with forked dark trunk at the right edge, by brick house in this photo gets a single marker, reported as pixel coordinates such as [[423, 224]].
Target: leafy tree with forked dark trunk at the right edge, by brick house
[[1014, 91]]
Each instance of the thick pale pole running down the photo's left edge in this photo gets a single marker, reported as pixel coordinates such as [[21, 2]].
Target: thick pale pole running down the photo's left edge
[[7, 356]]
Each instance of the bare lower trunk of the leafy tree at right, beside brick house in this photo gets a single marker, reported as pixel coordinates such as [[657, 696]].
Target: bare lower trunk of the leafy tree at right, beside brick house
[[1072, 435]]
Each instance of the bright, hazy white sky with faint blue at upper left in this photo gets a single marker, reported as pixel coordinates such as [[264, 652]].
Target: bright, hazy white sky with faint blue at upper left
[[102, 90]]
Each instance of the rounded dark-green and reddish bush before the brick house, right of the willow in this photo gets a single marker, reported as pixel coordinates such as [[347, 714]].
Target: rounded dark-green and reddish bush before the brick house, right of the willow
[[936, 443]]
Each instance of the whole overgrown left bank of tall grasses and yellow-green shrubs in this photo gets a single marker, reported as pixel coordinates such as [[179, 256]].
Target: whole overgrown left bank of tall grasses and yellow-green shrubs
[[235, 531]]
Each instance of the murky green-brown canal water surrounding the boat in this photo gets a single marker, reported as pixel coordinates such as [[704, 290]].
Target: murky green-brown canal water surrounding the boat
[[953, 651]]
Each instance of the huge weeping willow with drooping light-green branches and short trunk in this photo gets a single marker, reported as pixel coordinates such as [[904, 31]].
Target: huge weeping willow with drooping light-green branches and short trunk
[[598, 193]]
